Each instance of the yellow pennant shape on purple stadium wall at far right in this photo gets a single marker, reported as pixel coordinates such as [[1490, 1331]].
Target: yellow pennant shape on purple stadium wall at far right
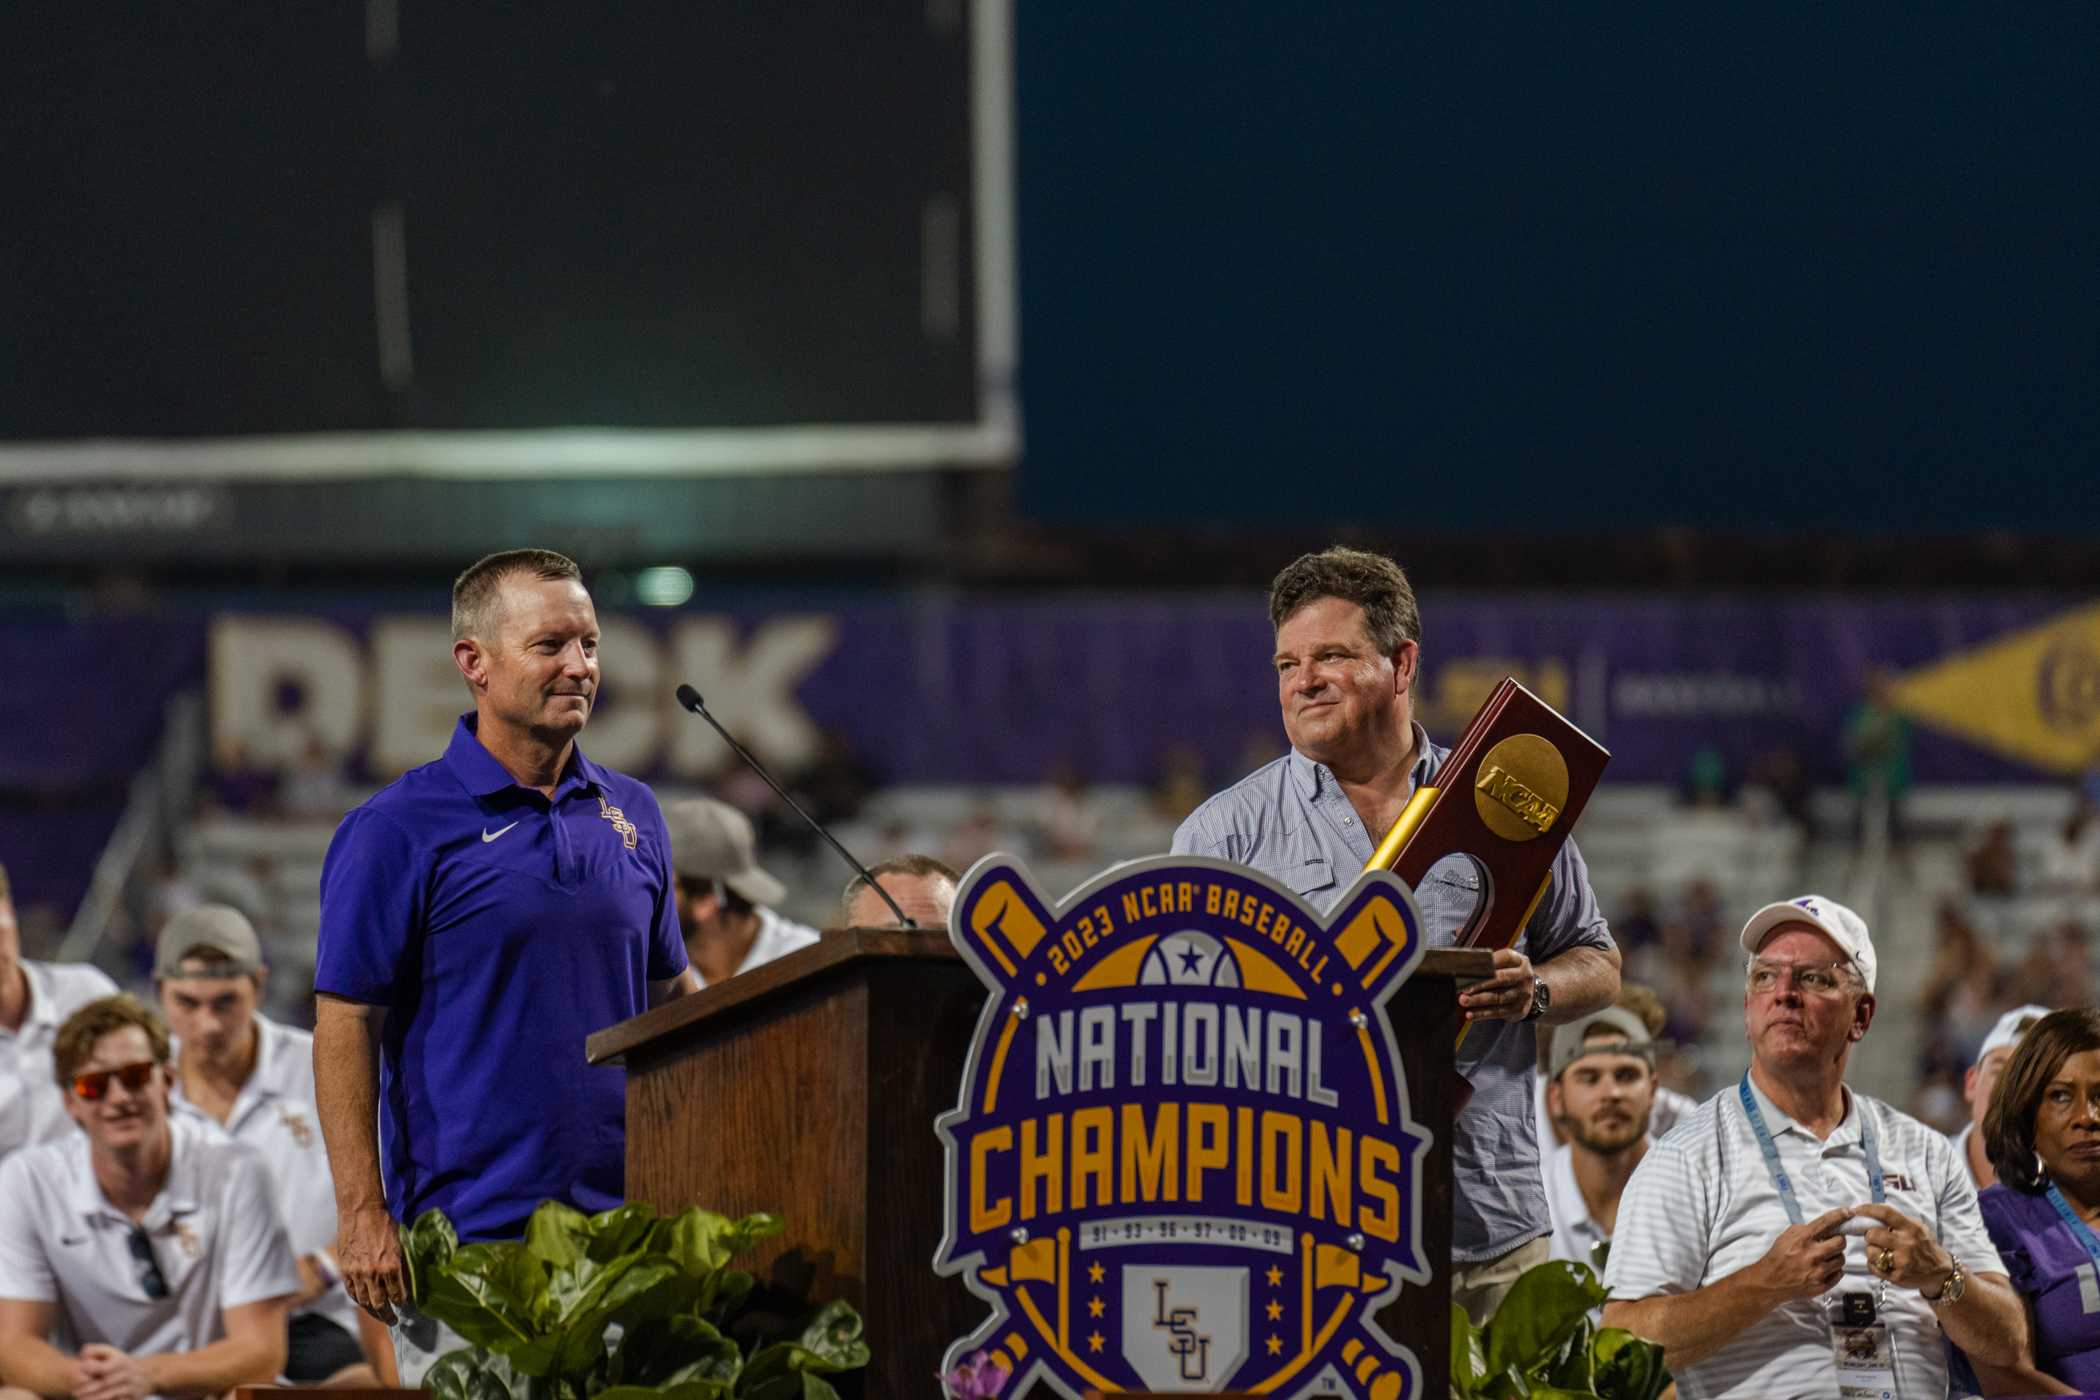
[[2032, 696]]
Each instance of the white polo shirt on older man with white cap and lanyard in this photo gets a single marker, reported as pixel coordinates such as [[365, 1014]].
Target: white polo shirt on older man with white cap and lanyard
[[1702, 1206]]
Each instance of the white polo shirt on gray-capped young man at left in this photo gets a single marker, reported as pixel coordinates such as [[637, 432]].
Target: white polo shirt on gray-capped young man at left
[[274, 1113]]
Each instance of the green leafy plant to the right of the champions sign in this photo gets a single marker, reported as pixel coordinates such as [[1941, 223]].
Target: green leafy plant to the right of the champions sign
[[1542, 1342]]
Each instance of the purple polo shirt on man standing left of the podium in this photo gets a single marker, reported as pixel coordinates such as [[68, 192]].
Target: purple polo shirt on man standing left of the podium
[[499, 931]]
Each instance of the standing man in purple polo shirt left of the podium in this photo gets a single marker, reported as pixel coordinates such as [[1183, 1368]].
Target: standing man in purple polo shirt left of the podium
[[480, 918]]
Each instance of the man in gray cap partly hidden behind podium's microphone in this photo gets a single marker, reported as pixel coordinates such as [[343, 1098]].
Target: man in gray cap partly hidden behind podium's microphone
[[726, 897]]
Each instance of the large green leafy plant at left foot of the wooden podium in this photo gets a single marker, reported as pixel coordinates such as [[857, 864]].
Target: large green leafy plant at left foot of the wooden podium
[[621, 1307]]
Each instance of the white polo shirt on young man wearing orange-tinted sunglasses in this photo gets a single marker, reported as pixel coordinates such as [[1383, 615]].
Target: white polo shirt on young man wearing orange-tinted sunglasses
[[215, 1233]]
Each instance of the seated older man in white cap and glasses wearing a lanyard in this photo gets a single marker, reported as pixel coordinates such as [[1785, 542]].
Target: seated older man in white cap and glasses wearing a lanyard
[[1736, 1239]]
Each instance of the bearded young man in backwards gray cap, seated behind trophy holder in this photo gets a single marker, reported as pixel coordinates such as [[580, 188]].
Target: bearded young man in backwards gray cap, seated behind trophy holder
[[1601, 1090]]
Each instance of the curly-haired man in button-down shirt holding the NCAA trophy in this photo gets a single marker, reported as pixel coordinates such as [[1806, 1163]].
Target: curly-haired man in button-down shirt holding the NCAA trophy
[[1349, 639]]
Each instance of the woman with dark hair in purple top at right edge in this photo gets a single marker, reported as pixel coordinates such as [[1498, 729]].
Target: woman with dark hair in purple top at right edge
[[2044, 1139]]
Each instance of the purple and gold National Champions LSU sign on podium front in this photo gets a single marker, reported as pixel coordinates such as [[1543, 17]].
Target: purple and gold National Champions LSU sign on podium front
[[1183, 1160]]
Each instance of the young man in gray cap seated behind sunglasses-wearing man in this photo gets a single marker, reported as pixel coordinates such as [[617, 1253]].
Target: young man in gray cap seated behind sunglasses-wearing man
[[253, 1078]]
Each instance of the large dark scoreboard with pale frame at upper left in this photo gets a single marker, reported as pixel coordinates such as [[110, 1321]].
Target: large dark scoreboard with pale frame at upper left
[[362, 219]]
